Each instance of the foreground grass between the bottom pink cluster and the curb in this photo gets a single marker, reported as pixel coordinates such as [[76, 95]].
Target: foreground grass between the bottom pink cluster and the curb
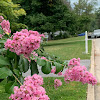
[[71, 91]]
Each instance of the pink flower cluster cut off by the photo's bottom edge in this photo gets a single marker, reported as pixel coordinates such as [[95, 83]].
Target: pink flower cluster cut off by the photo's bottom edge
[[30, 90]]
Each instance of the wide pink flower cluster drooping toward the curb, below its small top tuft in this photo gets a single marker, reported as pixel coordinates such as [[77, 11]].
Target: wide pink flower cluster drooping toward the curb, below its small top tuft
[[79, 73]]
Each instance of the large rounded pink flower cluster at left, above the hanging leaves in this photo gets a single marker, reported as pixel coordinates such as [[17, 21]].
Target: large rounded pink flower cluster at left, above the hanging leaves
[[24, 42]]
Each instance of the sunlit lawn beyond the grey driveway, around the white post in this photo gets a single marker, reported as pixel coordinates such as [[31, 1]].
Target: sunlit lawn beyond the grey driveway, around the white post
[[69, 48]]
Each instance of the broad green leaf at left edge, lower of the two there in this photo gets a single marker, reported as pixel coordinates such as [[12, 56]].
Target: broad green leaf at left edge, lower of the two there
[[4, 72]]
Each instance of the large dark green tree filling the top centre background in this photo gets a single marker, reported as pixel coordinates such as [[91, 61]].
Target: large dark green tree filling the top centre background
[[47, 16]]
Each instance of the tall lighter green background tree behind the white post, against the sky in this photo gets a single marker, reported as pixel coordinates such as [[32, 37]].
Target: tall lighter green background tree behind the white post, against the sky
[[84, 12]]
